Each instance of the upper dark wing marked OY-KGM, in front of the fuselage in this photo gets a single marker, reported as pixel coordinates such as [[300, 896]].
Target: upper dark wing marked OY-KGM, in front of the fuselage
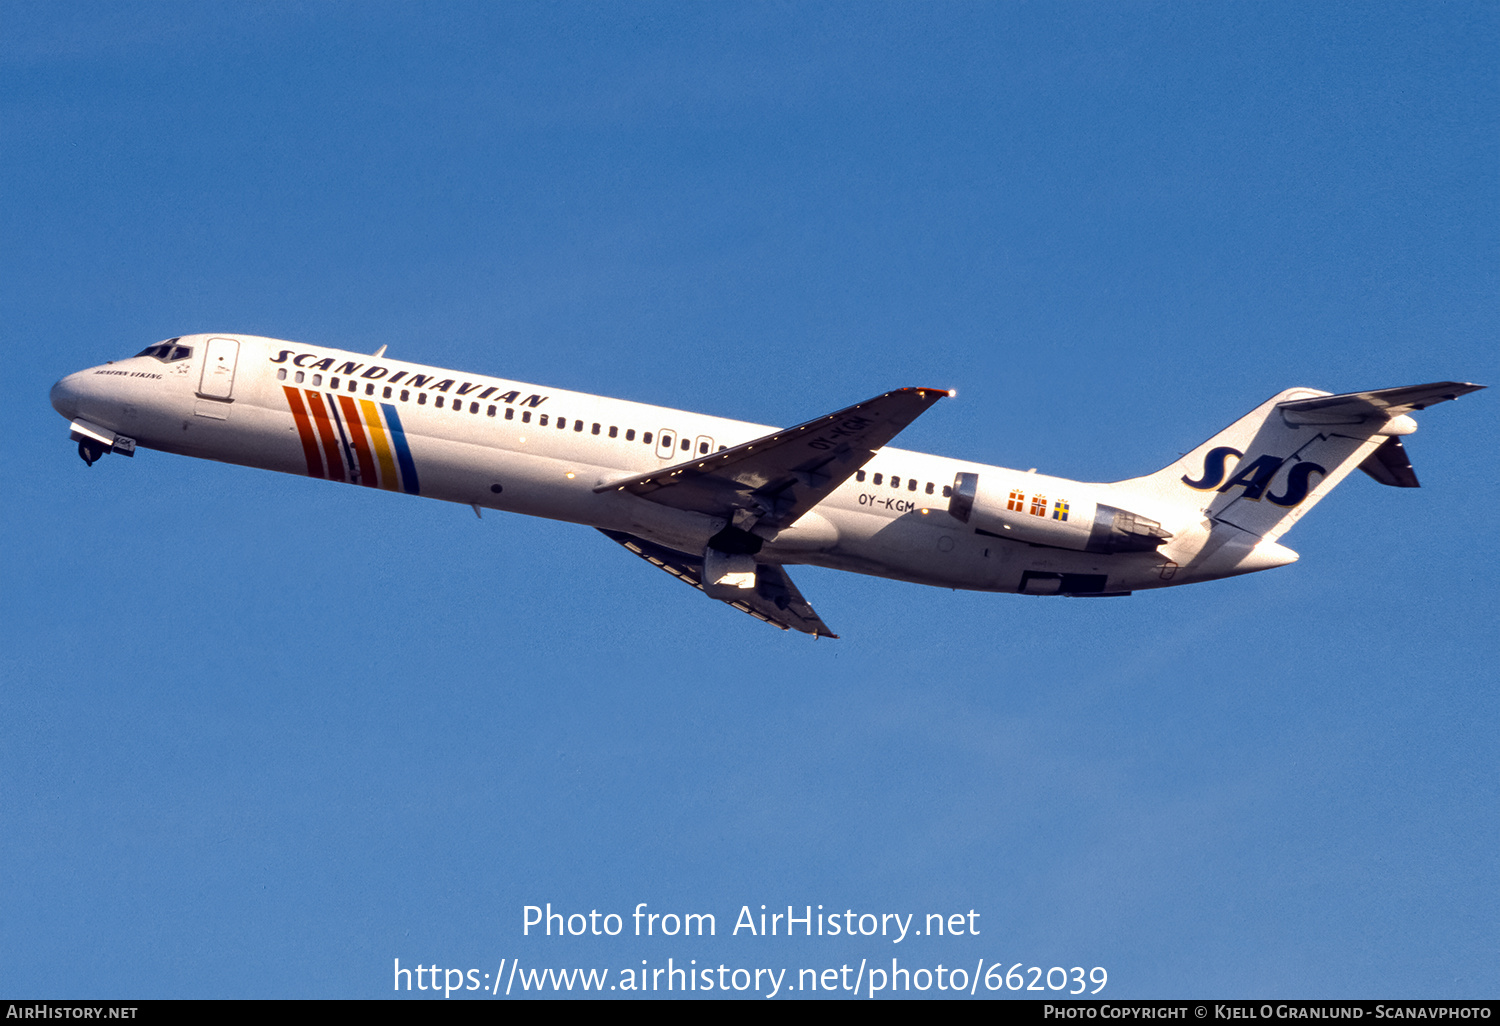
[[776, 479]]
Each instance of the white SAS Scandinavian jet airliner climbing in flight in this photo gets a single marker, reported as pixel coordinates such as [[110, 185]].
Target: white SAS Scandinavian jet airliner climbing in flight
[[727, 506]]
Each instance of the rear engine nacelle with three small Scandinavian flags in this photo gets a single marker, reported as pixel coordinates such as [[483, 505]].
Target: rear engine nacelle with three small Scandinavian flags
[[1049, 511]]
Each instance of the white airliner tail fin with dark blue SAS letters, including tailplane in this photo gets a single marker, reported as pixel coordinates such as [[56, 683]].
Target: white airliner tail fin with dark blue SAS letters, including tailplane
[[1268, 469]]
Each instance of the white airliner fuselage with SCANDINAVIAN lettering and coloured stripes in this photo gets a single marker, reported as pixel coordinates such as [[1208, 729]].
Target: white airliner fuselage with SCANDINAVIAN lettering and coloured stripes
[[526, 449]]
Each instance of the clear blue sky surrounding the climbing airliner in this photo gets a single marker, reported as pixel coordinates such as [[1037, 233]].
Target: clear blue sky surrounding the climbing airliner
[[262, 736]]
